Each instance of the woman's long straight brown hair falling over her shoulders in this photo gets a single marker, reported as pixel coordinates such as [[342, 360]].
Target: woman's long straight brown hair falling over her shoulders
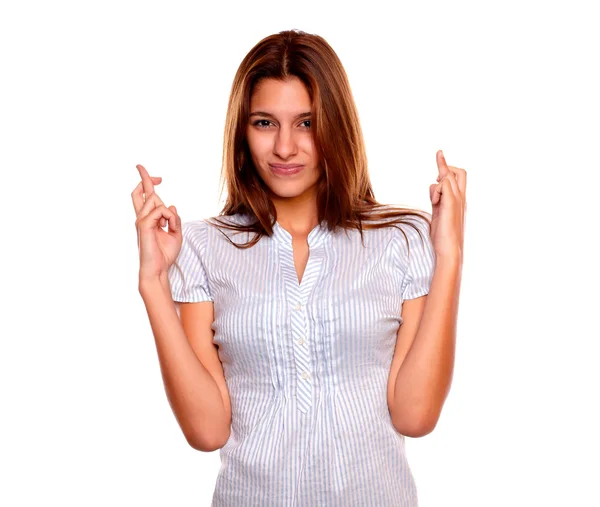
[[345, 197]]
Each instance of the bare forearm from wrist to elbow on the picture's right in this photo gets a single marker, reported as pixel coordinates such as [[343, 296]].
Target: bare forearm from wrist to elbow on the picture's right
[[424, 379]]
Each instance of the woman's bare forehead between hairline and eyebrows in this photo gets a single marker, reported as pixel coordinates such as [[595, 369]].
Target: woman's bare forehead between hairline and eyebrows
[[280, 96]]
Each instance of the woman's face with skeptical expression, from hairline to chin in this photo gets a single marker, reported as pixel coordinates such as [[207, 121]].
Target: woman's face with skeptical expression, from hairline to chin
[[280, 138]]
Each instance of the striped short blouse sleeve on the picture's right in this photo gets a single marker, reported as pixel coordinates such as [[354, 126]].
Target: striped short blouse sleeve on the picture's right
[[419, 261]]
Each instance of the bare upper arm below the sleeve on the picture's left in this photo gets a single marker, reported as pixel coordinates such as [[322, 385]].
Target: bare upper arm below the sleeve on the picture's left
[[197, 319]]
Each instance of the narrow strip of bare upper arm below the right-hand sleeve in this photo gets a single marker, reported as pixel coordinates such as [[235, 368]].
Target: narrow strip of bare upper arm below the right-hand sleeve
[[412, 310]]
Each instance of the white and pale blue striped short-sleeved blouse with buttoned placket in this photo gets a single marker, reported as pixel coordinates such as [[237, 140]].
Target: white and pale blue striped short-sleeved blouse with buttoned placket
[[307, 364]]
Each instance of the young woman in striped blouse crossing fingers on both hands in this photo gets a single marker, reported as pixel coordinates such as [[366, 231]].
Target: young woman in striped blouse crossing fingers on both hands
[[307, 329]]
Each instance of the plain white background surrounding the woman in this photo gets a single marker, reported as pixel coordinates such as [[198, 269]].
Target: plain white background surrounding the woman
[[88, 90]]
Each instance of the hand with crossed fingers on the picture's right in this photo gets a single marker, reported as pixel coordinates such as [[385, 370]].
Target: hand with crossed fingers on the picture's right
[[448, 201]]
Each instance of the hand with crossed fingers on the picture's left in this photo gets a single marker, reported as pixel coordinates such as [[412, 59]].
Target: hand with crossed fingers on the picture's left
[[158, 248]]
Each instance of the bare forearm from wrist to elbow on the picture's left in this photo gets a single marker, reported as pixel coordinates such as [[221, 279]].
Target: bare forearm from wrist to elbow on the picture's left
[[192, 392]]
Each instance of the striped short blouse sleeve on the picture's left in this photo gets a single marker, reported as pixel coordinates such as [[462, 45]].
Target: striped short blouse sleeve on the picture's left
[[187, 276]]
